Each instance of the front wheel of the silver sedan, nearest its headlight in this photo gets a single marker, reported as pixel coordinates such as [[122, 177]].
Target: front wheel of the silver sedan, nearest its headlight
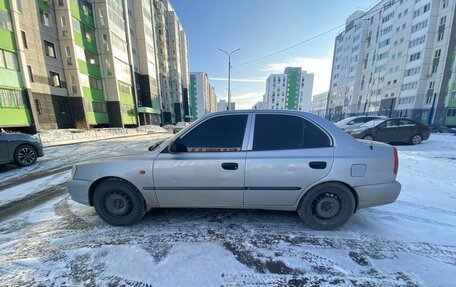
[[119, 202]]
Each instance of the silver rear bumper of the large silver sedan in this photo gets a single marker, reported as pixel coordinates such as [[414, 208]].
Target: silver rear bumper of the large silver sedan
[[377, 194]]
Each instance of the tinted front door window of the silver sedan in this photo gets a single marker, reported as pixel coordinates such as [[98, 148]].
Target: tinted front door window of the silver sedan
[[224, 133]]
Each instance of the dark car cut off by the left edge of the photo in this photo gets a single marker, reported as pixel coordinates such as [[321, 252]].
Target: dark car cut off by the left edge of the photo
[[20, 149]]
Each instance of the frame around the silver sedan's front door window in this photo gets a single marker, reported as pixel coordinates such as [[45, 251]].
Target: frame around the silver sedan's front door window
[[196, 124]]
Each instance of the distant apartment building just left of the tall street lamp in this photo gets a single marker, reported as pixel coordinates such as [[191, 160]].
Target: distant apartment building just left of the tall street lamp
[[203, 99]]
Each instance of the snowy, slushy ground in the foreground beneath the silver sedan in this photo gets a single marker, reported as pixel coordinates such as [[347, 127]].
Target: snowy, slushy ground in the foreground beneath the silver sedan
[[407, 243]]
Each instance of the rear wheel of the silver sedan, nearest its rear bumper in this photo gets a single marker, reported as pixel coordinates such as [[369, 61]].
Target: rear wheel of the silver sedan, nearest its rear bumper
[[327, 206]]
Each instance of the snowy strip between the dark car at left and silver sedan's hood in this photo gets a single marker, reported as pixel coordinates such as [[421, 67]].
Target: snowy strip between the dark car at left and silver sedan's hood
[[64, 156]]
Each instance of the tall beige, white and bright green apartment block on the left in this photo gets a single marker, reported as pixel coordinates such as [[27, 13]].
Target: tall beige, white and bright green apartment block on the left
[[89, 63]]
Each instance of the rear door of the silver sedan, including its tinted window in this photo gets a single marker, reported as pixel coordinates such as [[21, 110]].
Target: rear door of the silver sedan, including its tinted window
[[287, 153]]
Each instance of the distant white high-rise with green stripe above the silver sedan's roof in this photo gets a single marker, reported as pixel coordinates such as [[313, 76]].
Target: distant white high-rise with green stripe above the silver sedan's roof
[[291, 90]]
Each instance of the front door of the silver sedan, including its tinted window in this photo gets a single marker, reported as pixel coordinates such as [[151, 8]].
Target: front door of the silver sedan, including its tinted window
[[209, 169]]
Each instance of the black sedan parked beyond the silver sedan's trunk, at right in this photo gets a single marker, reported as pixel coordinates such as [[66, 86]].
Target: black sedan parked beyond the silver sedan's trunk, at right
[[393, 130]]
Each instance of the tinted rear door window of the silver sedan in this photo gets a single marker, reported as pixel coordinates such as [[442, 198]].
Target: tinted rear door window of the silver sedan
[[280, 132]]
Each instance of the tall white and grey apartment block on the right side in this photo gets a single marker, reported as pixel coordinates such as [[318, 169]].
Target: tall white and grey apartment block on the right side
[[396, 60]]
